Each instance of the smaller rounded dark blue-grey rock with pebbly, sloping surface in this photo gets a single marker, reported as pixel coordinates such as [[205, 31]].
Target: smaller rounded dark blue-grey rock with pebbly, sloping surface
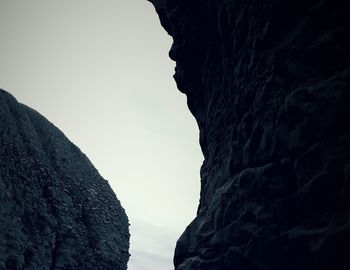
[[56, 211]]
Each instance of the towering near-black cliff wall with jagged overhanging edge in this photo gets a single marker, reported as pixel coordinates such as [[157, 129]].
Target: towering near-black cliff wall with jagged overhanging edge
[[269, 84]]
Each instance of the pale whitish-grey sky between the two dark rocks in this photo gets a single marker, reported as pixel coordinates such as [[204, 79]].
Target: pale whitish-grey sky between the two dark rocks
[[99, 70]]
